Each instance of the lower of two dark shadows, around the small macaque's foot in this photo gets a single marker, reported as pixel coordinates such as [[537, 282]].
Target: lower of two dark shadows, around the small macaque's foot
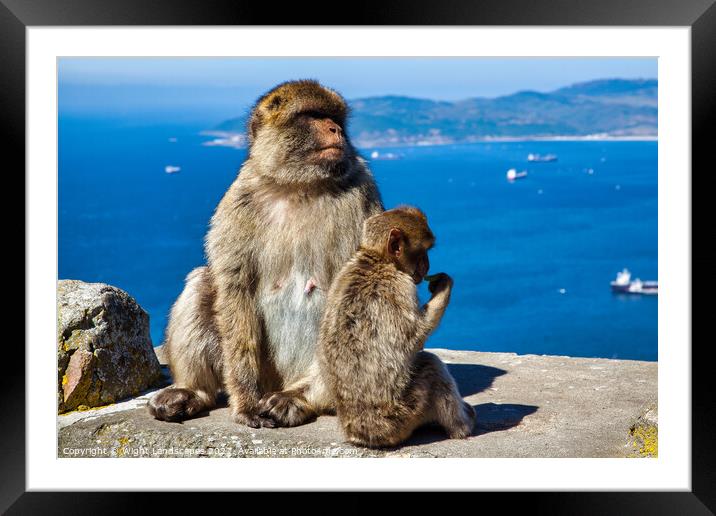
[[490, 417]]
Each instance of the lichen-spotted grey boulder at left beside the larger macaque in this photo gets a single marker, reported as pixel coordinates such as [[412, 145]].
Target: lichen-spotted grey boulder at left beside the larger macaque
[[104, 351]]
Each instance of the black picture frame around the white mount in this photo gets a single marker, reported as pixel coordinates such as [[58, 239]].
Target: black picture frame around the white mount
[[699, 15]]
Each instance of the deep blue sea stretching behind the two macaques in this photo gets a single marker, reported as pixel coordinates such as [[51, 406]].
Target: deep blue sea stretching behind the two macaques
[[532, 260]]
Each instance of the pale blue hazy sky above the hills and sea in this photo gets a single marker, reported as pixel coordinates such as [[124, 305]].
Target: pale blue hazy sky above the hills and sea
[[213, 86]]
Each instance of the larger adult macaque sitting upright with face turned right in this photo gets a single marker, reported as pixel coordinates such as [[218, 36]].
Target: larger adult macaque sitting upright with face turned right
[[247, 322]]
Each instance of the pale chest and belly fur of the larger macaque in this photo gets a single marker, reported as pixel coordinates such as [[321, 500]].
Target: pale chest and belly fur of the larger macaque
[[304, 246]]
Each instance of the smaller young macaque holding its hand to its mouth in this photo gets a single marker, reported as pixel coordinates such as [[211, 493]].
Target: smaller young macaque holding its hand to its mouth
[[373, 332]]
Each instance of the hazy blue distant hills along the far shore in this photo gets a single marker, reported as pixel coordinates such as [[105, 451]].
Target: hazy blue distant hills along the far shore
[[602, 108]]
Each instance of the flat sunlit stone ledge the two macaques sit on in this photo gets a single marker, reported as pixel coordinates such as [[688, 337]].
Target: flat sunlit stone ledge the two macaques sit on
[[527, 406]]
